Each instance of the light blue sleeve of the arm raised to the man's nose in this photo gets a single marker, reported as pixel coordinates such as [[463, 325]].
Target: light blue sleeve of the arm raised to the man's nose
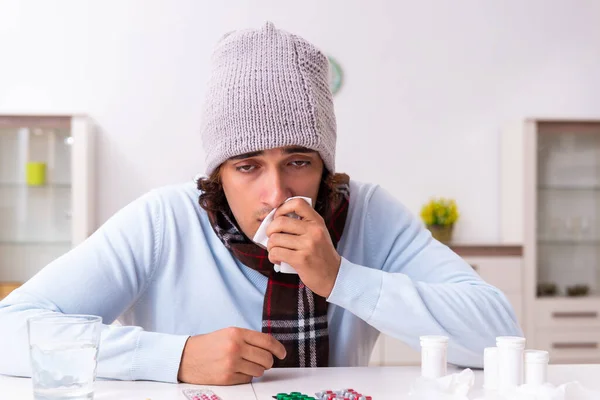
[[413, 285]]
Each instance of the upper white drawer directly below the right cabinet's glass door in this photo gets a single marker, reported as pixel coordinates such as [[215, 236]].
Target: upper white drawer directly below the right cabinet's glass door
[[567, 313]]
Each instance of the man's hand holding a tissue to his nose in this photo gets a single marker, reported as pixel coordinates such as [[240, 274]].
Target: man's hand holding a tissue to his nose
[[305, 245]]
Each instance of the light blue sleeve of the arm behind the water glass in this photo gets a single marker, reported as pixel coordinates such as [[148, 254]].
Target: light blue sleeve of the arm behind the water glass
[[103, 276]]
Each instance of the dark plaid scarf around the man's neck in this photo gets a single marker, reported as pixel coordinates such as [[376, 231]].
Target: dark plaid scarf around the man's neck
[[292, 313]]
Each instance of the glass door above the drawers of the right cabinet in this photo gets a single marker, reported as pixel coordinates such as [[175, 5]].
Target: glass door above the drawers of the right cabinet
[[567, 185]]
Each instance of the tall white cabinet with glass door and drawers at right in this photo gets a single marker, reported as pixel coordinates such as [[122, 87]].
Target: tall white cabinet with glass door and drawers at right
[[551, 203]]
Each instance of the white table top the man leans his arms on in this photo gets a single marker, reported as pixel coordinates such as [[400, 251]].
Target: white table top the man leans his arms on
[[383, 383]]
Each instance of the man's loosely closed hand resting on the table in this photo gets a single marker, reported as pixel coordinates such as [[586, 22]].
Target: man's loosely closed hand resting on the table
[[228, 356]]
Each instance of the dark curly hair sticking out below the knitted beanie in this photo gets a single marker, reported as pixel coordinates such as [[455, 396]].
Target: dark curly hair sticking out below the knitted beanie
[[213, 197]]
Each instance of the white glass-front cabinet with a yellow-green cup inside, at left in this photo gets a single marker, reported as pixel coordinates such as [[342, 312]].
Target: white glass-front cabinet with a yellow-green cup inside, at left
[[46, 191]]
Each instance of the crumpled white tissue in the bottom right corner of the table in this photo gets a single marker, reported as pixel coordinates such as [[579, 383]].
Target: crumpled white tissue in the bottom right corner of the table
[[567, 391]]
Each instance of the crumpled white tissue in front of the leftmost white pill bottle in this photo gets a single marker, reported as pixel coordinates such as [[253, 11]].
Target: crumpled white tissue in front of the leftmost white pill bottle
[[450, 387]]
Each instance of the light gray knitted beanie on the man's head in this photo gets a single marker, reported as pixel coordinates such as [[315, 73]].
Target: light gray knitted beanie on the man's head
[[268, 88]]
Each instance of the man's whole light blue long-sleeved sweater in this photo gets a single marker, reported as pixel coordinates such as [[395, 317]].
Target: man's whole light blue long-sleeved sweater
[[159, 268]]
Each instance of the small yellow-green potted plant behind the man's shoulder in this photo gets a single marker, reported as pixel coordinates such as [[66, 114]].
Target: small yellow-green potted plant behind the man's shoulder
[[440, 215]]
